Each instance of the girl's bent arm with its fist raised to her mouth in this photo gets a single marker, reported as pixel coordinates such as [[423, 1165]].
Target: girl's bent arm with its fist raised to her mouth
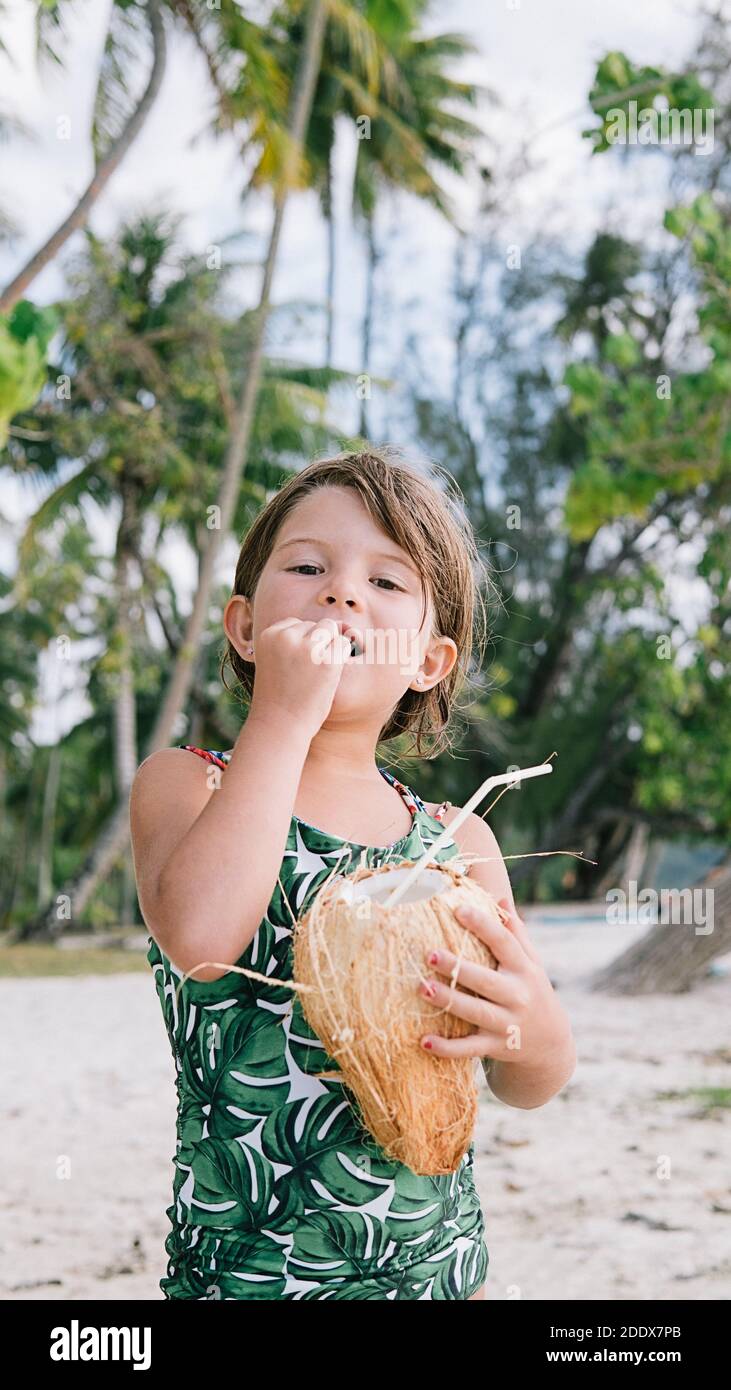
[[209, 844]]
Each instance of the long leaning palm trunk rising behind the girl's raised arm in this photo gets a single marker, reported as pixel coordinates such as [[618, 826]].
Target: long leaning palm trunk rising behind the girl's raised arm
[[116, 833]]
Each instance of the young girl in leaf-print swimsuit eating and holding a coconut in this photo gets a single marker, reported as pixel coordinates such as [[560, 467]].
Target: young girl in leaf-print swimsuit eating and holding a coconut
[[351, 623]]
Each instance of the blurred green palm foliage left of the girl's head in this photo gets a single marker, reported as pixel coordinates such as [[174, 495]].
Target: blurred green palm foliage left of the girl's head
[[151, 354]]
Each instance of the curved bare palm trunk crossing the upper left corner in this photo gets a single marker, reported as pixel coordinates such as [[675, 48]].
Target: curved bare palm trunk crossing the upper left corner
[[104, 172]]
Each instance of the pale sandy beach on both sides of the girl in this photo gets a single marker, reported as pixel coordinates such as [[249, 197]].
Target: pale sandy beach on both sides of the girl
[[621, 1188]]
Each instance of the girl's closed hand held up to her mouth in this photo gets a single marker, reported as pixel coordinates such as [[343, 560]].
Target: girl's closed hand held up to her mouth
[[298, 671]]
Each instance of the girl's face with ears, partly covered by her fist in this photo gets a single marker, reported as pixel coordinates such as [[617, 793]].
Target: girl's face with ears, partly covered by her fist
[[331, 559]]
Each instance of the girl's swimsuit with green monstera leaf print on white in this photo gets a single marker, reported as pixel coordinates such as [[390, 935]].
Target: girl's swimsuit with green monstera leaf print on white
[[279, 1189]]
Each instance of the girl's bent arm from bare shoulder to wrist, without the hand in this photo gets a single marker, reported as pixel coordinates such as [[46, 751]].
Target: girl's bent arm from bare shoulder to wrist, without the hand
[[209, 844]]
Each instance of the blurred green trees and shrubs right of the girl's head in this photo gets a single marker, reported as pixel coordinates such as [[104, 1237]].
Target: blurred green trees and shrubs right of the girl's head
[[614, 476]]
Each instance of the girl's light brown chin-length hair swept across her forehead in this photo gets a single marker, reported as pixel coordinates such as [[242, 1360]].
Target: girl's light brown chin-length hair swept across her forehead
[[433, 529]]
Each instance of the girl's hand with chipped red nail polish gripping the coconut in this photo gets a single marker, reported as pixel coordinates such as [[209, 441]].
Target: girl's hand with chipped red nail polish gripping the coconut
[[518, 1017]]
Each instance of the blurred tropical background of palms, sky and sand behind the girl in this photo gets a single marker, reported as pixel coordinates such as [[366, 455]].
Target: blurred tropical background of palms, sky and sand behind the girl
[[240, 237]]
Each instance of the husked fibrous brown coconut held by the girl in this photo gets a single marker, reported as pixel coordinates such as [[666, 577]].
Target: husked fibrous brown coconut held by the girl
[[362, 964]]
